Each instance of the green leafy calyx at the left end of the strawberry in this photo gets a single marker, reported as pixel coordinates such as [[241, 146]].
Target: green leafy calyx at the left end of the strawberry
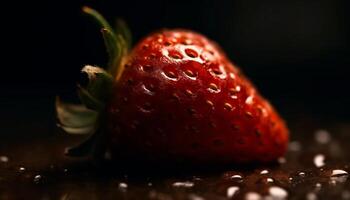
[[89, 117]]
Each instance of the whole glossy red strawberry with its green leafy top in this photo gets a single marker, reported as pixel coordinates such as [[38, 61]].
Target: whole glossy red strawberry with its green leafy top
[[176, 96]]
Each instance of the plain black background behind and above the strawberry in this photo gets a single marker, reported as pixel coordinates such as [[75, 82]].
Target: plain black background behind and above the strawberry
[[296, 52]]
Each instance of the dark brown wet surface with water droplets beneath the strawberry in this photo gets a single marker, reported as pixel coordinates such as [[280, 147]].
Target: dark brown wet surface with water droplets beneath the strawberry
[[317, 166]]
